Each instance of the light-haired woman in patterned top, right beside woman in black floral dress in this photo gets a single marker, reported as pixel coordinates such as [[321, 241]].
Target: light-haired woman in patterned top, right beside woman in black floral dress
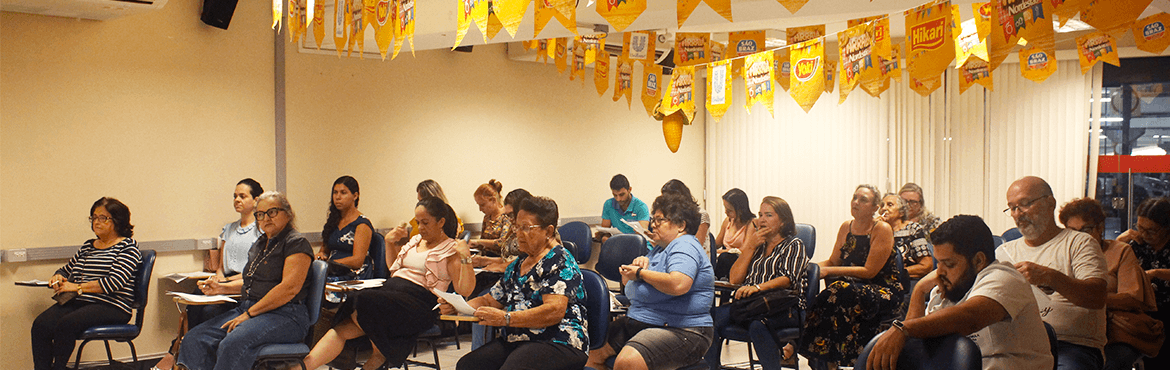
[[910, 237]]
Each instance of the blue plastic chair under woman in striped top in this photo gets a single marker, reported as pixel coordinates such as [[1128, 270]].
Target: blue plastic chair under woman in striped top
[[125, 333]]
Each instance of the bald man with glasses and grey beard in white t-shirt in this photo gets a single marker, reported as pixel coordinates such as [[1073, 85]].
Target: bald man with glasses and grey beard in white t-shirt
[[1068, 271]]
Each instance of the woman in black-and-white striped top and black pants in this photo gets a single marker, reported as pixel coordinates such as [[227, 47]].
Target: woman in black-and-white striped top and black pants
[[101, 275]]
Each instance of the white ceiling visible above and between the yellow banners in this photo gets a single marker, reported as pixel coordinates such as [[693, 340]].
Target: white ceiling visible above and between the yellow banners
[[436, 20]]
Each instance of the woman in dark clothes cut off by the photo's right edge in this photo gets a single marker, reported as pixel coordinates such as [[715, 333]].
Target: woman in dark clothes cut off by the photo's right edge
[[1152, 238]]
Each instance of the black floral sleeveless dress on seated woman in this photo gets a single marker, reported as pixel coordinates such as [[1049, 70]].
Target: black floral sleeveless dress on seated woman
[[850, 312]]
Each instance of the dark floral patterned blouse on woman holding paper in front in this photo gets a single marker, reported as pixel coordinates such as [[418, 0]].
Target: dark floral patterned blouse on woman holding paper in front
[[556, 273]]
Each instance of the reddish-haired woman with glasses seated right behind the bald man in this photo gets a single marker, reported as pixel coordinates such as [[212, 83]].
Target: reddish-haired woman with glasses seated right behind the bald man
[[1130, 290]]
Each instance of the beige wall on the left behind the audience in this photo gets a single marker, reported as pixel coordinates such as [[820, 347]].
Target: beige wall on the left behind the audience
[[168, 114]]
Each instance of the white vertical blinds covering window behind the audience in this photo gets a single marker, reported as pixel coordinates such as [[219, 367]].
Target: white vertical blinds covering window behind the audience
[[965, 150]]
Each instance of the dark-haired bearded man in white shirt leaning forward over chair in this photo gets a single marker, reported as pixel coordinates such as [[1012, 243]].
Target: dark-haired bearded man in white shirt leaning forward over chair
[[972, 294]]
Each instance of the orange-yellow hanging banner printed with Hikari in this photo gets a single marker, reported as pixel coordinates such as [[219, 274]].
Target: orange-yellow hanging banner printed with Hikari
[[931, 46]]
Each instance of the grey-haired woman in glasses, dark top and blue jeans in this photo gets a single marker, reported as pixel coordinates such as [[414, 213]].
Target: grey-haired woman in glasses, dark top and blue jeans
[[272, 307]]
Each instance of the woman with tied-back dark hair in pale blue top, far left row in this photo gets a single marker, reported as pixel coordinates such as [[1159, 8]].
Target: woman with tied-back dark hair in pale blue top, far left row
[[229, 262]]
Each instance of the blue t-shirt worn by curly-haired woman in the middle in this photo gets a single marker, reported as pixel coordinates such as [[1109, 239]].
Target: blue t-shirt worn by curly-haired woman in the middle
[[692, 310]]
